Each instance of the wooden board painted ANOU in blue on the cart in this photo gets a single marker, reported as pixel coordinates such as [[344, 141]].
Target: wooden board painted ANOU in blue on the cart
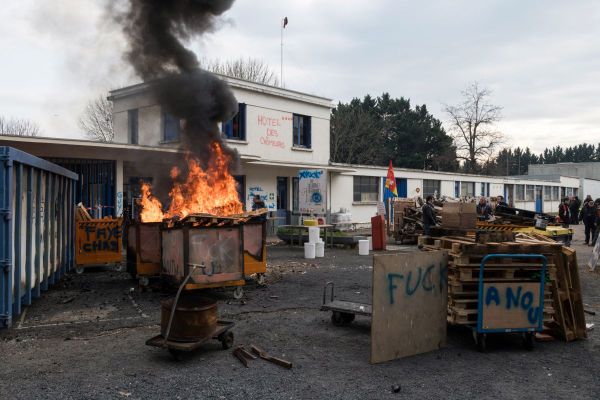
[[511, 305]]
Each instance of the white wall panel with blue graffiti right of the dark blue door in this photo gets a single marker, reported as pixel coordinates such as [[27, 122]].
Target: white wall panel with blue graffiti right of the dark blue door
[[312, 191]]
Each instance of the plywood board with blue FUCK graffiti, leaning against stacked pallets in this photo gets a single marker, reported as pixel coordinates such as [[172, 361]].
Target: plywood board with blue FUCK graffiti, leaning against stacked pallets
[[409, 304]]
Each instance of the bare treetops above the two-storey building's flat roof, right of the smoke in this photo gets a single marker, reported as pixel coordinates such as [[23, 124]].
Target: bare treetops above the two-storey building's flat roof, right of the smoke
[[250, 69]]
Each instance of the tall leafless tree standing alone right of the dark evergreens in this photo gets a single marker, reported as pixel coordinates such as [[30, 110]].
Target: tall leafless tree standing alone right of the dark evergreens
[[472, 126]]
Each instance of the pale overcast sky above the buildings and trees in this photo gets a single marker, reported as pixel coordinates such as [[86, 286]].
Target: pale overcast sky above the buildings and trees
[[540, 58]]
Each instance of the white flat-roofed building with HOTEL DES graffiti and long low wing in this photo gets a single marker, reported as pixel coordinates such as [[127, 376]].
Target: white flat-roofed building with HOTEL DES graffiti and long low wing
[[277, 132]]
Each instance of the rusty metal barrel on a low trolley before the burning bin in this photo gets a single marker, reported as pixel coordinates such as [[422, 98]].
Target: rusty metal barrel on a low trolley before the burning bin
[[195, 317]]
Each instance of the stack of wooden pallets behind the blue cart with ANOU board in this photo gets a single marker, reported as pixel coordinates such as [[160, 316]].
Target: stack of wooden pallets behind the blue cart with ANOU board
[[563, 307]]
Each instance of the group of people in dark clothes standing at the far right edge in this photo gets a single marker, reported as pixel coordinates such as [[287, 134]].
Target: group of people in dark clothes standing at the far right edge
[[571, 211]]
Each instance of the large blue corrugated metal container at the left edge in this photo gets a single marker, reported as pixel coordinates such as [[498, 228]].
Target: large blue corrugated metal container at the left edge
[[36, 228]]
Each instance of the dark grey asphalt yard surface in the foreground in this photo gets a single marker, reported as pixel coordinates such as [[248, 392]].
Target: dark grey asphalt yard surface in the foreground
[[85, 339]]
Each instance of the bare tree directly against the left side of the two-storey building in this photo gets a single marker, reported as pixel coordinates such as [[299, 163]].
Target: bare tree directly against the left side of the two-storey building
[[96, 120]]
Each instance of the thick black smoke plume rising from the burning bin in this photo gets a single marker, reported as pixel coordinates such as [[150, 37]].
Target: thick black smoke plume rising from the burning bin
[[156, 31]]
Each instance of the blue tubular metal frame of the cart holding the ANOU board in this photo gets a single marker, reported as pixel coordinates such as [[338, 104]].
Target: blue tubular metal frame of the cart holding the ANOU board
[[480, 331]]
